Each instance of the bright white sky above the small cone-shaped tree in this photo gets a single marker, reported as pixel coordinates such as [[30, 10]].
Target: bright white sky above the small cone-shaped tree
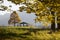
[[13, 8]]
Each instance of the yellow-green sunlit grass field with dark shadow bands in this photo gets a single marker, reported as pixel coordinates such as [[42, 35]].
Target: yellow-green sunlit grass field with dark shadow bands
[[27, 34]]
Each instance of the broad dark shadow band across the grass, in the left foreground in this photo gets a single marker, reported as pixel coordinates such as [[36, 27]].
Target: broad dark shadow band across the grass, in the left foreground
[[10, 35]]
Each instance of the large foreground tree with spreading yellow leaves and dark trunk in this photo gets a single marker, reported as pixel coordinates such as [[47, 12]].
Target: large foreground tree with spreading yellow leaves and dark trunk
[[43, 8]]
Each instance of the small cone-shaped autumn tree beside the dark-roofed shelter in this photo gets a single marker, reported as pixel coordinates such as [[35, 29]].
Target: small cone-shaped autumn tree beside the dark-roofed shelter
[[14, 18]]
